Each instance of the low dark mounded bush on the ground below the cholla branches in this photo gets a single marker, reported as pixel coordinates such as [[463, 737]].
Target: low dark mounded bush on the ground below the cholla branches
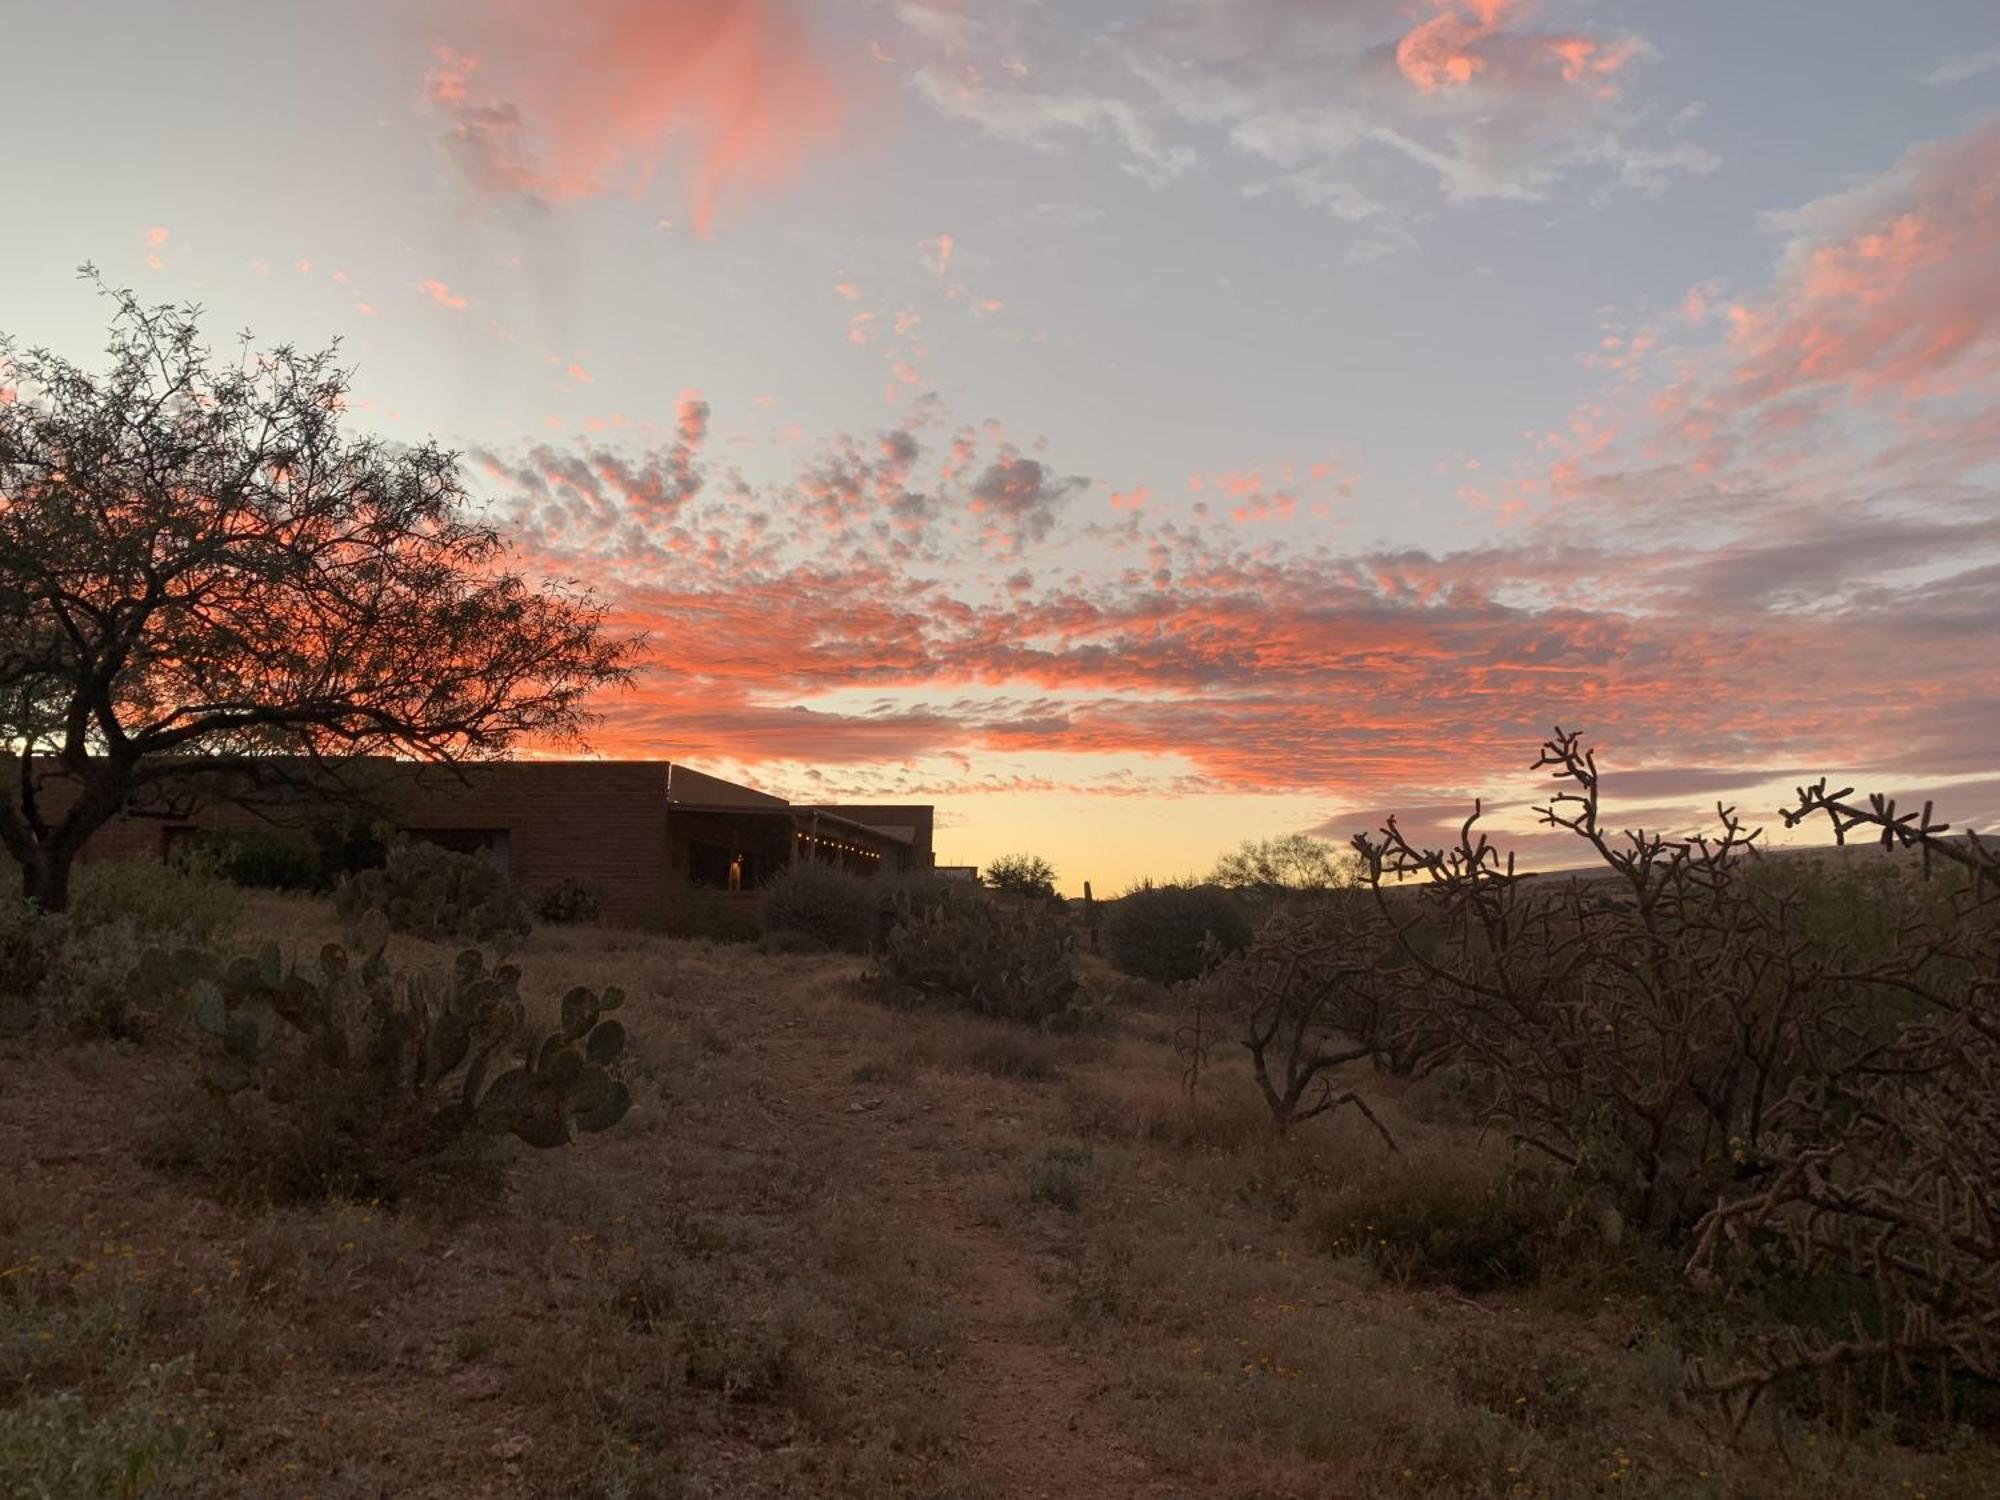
[[1453, 1221]]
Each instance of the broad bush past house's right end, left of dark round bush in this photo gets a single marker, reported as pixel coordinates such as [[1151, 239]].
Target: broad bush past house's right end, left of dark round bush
[[969, 953]]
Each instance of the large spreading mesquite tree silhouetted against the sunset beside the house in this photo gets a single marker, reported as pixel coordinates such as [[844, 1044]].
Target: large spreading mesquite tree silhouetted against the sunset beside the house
[[201, 573]]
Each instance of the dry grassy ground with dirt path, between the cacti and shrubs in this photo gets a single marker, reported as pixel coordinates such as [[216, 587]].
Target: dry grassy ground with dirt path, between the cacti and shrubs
[[835, 1251]]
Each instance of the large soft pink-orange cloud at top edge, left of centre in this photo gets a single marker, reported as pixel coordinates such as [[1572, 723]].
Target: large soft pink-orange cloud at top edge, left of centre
[[607, 91]]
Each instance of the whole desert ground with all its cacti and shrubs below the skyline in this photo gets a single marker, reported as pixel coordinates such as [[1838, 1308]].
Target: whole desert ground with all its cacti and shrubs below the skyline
[[1449, 1181]]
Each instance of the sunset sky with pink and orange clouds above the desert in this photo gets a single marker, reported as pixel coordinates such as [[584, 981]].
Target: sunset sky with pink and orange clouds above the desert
[[1135, 427]]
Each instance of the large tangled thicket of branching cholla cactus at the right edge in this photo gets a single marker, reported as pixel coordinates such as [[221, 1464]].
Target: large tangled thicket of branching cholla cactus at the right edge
[[1779, 1073]]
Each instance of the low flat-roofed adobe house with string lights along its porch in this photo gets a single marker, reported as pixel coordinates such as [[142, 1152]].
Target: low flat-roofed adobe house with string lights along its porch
[[633, 831]]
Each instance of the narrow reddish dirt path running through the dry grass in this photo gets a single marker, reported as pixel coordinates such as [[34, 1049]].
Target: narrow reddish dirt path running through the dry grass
[[1037, 1427]]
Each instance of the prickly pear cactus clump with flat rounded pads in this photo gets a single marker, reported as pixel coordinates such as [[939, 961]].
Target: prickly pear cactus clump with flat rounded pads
[[353, 1079]]
